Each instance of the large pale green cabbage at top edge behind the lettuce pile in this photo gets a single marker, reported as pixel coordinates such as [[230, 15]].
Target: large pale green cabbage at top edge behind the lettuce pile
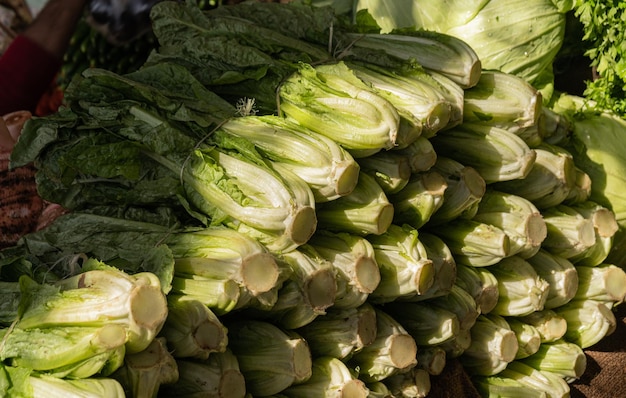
[[520, 37]]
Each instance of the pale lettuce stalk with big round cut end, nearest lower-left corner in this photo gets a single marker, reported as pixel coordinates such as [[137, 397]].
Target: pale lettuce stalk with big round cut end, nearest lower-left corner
[[98, 297]]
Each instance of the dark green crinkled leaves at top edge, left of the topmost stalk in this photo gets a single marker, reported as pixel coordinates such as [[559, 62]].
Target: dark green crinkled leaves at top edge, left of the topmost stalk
[[223, 45]]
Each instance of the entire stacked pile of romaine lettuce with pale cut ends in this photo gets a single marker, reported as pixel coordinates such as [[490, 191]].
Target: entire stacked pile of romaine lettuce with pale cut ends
[[279, 203]]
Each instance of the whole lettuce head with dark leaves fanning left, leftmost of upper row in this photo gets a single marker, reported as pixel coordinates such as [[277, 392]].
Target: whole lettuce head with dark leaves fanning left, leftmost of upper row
[[140, 139]]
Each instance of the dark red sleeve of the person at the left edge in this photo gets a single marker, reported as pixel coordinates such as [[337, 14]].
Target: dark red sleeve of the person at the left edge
[[26, 73]]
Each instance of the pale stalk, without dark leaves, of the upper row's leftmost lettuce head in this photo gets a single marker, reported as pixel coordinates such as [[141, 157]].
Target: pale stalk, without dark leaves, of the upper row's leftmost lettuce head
[[280, 207]]
